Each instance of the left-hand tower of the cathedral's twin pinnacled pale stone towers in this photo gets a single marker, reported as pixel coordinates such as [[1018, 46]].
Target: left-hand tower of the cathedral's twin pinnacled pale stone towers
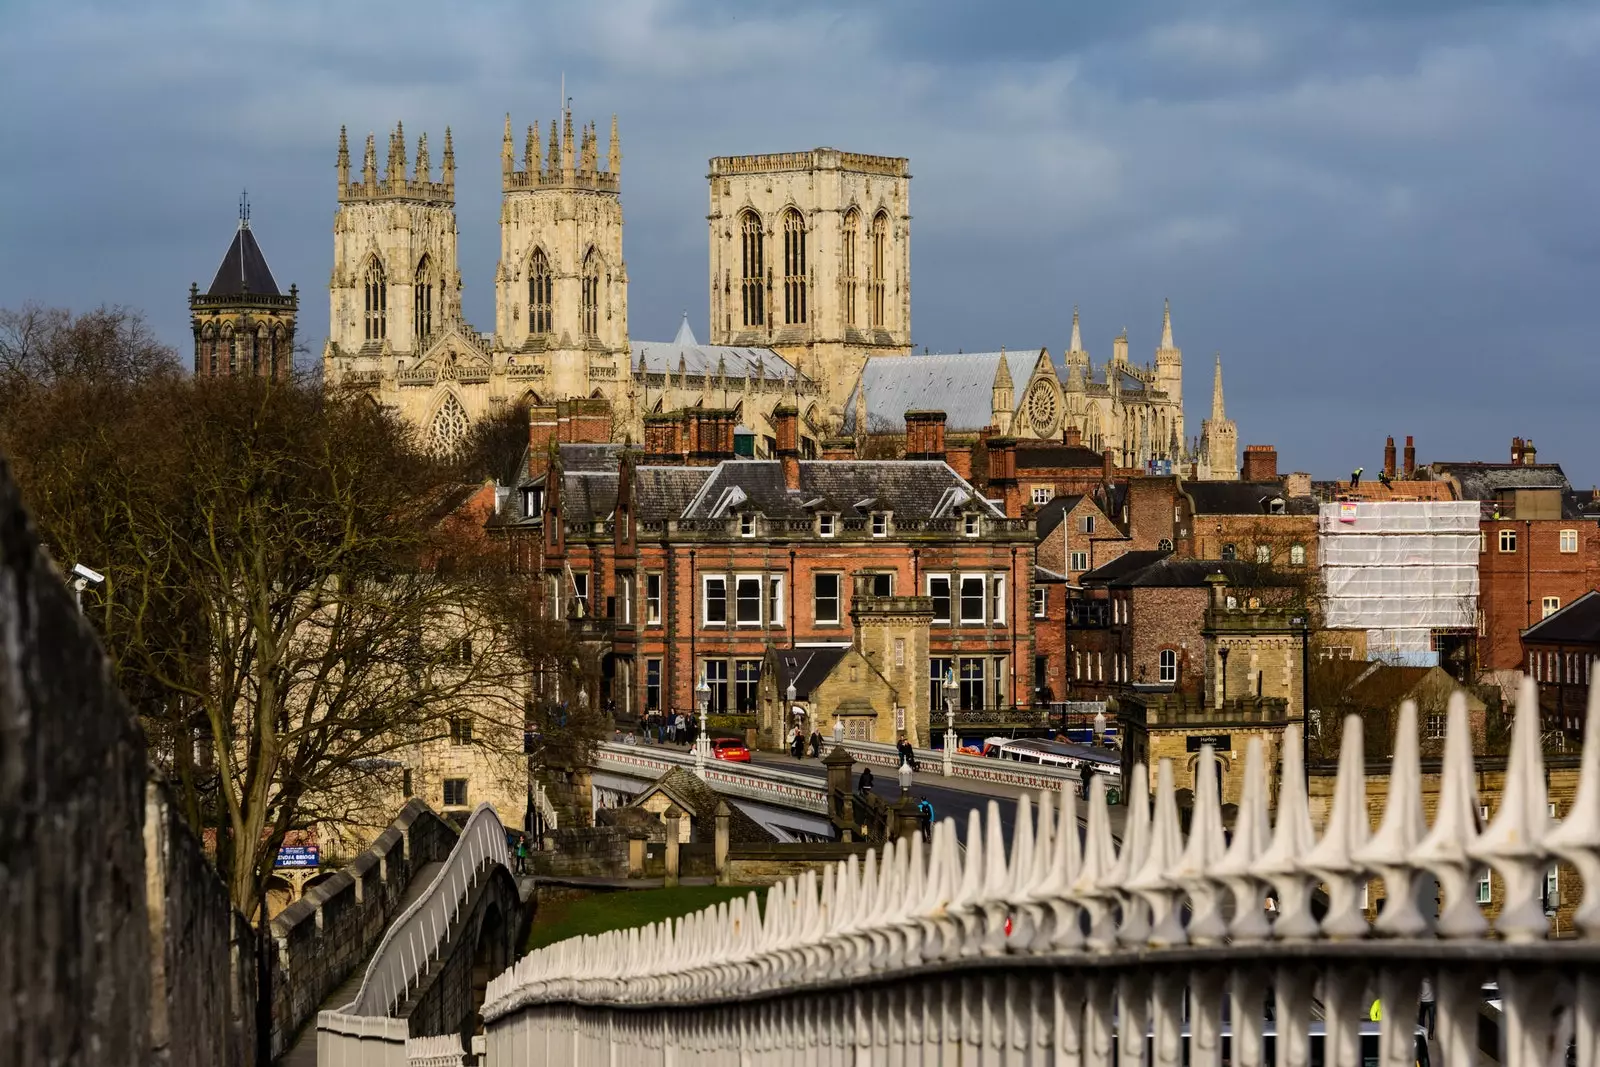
[[394, 281]]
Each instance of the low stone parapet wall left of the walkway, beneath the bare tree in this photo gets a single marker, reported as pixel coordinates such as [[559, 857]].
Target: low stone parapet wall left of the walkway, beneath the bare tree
[[335, 927]]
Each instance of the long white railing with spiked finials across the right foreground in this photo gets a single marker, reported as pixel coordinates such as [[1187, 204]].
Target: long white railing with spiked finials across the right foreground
[[1049, 948]]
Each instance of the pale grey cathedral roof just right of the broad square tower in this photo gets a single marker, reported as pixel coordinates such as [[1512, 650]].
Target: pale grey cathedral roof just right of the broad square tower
[[962, 386]]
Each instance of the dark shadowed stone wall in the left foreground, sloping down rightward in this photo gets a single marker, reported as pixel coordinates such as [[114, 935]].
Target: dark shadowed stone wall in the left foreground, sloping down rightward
[[121, 945]]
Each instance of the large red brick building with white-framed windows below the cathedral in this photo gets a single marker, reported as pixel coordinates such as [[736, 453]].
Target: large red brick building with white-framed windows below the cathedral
[[686, 564]]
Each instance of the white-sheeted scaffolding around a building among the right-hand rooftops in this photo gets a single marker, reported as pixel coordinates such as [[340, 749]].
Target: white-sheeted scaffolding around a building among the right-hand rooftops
[[1401, 572]]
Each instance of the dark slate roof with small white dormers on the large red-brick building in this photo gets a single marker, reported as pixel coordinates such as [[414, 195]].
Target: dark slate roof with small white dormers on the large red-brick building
[[911, 489]]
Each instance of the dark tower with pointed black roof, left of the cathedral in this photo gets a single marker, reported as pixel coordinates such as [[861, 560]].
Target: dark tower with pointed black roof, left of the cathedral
[[242, 324]]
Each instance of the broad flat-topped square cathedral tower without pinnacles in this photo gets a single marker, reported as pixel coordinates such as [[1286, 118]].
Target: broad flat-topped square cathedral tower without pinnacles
[[810, 255]]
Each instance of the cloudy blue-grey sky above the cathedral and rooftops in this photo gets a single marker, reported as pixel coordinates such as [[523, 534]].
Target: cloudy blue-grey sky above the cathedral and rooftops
[[1380, 212]]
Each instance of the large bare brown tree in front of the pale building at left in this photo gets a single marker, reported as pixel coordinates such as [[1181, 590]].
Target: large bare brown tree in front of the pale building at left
[[292, 597]]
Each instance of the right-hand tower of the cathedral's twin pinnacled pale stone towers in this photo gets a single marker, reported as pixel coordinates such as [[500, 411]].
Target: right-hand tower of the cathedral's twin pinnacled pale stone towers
[[561, 287]]
